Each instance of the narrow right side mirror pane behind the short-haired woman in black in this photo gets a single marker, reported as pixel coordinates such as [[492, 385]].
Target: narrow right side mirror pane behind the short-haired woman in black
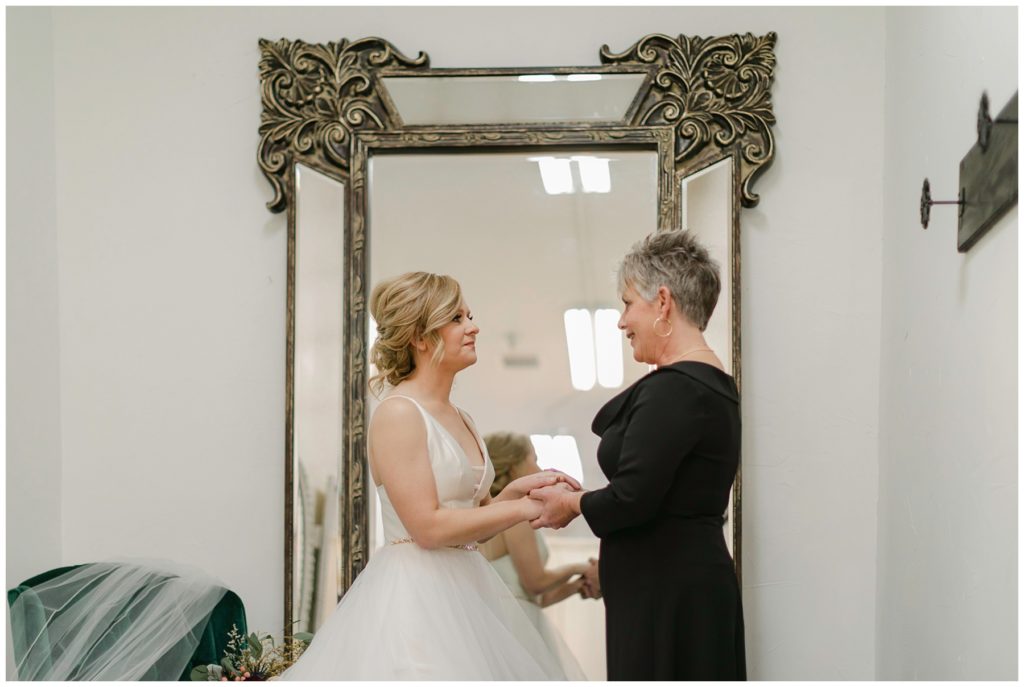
[[707, 203]]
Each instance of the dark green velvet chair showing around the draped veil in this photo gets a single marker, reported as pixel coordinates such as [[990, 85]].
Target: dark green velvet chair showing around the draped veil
[[28, 620]]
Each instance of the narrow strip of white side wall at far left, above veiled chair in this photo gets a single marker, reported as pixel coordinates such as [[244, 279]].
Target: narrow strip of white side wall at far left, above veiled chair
[[34, 486]]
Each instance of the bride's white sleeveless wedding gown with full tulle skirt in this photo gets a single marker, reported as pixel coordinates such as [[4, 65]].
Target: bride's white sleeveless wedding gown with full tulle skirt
[[437, 615]]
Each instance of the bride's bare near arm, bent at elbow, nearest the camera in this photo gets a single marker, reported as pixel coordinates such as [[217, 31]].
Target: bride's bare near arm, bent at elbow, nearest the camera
[[401, 461]]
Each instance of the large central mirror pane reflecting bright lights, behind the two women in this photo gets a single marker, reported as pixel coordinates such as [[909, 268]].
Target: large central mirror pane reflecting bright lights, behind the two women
[[528, 245]]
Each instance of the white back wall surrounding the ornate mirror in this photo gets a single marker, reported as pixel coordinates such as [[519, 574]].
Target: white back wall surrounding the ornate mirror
[[173, 293]]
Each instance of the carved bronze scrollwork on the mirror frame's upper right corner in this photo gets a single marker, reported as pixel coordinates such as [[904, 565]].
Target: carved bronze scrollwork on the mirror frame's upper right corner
[[716, 93]]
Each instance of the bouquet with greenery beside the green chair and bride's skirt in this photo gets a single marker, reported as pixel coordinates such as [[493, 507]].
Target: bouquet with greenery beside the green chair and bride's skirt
[[253, 658]]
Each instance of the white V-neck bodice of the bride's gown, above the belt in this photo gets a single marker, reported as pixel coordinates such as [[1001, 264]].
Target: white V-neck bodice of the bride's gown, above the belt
[[459, 483]]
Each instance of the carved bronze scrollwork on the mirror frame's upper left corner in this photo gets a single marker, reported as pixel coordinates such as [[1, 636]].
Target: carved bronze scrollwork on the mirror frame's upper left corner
[[315, 97]]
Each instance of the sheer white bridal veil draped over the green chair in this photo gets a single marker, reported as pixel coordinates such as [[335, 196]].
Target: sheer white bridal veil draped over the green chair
[[113, 621]]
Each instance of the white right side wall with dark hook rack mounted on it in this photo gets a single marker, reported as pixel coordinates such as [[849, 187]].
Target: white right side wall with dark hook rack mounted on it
[[948, 449]]
